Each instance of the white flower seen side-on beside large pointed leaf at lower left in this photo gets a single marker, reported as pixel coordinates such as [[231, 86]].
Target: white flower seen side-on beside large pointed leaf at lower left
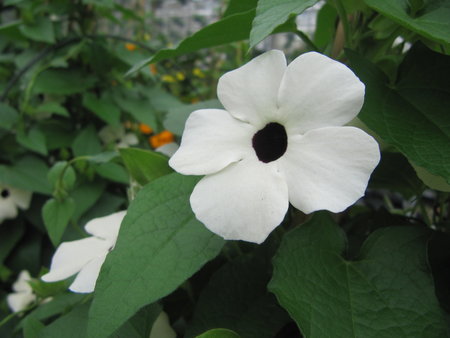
[[85, 256]]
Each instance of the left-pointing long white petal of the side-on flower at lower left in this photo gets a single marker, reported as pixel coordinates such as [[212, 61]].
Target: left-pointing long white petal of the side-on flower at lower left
[[71, 257]]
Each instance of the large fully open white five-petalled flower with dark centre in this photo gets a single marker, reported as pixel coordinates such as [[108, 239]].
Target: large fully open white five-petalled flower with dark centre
[[281, 139]]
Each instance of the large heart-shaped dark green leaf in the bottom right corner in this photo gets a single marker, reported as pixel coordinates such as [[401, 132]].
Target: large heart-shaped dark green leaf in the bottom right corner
[[388, 292]]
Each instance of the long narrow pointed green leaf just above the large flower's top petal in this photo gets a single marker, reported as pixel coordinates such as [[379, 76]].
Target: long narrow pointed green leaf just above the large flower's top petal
[[232, 28]]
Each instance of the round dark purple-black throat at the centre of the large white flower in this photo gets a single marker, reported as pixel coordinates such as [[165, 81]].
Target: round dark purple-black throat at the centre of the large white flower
[[270, 143]]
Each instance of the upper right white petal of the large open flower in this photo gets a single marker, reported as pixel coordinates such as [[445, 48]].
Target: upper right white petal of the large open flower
[[316, 92]]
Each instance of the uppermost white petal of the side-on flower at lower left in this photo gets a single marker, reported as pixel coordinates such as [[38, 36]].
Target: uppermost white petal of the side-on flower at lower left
[[106, 227]]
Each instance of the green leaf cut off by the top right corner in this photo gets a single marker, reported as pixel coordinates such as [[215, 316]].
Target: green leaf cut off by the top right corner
[[430, 21]]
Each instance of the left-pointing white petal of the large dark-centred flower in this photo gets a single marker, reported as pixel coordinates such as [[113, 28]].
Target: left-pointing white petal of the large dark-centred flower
[[212, 139]]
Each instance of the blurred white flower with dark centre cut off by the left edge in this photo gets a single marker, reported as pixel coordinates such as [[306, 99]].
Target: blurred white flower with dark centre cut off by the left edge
[[11, 199]]
